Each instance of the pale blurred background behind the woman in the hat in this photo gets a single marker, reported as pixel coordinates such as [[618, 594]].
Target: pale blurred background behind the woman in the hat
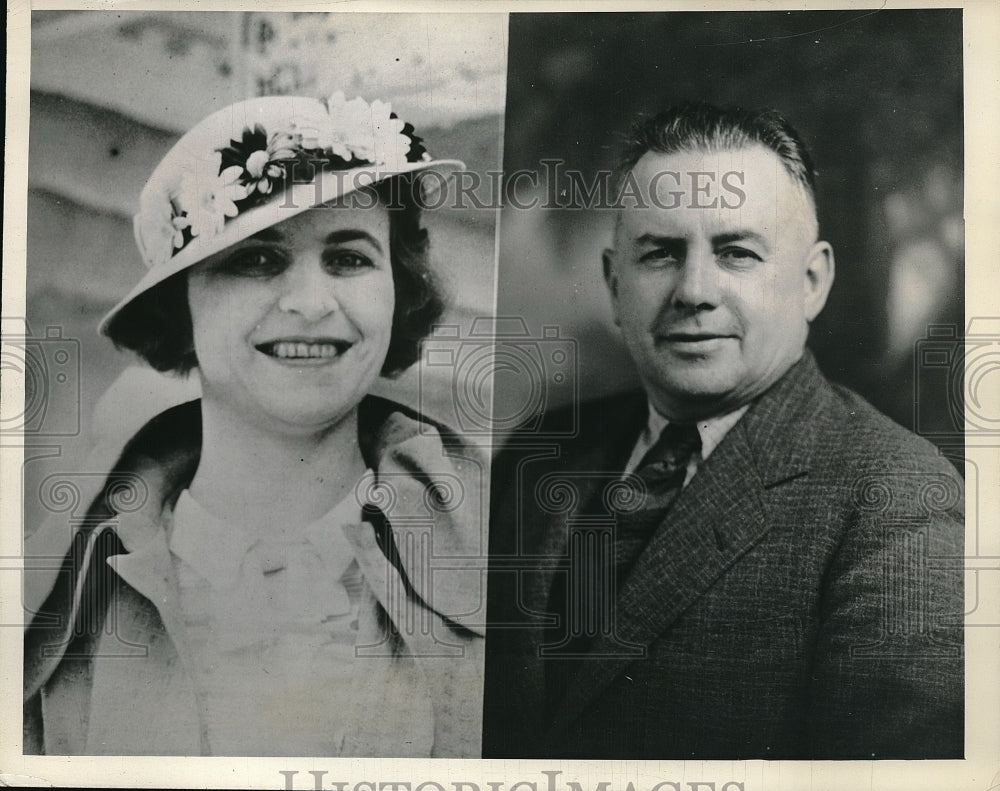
[[110, 94]]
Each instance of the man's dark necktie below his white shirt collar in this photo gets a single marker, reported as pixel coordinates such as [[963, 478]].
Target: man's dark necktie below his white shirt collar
[[661, 473]]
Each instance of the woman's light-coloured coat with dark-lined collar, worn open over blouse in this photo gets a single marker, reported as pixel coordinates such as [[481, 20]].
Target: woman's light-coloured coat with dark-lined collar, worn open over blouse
[[106, 667]]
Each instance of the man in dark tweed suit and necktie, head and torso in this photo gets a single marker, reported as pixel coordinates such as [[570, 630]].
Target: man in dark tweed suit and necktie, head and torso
[[743, 560]]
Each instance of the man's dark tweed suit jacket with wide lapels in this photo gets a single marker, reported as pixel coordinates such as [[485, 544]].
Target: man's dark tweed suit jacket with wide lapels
[[802, 598]]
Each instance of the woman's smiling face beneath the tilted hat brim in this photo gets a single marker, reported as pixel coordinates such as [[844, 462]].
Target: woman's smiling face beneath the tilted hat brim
[[292, 325]]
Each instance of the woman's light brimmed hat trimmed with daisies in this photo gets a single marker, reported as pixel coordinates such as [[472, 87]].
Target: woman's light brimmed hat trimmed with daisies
[[259, 162]]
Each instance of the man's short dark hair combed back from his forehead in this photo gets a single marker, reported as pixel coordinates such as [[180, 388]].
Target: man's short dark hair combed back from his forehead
[[699, 126]]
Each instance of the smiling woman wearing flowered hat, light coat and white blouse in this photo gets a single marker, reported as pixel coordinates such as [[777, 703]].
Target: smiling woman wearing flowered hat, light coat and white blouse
[[258, 574]]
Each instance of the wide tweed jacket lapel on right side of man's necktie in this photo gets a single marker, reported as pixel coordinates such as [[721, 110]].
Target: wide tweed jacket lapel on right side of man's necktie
[[718, 517]]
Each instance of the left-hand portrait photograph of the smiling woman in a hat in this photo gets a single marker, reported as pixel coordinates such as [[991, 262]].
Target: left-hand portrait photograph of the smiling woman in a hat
[[251, 529]]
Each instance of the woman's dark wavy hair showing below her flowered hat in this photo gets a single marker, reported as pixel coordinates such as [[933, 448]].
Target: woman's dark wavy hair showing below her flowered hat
[[157, 326]]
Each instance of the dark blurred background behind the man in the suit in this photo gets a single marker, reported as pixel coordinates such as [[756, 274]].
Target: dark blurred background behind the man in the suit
[[877, 95]]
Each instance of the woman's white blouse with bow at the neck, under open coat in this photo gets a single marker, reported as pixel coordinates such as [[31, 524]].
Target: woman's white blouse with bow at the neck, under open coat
[[271, 623]]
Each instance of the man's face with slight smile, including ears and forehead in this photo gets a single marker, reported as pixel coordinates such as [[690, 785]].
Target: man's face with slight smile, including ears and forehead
[[715, 276]]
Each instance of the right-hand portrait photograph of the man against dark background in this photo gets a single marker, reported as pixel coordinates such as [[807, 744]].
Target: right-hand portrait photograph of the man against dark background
[[740, 547]]
